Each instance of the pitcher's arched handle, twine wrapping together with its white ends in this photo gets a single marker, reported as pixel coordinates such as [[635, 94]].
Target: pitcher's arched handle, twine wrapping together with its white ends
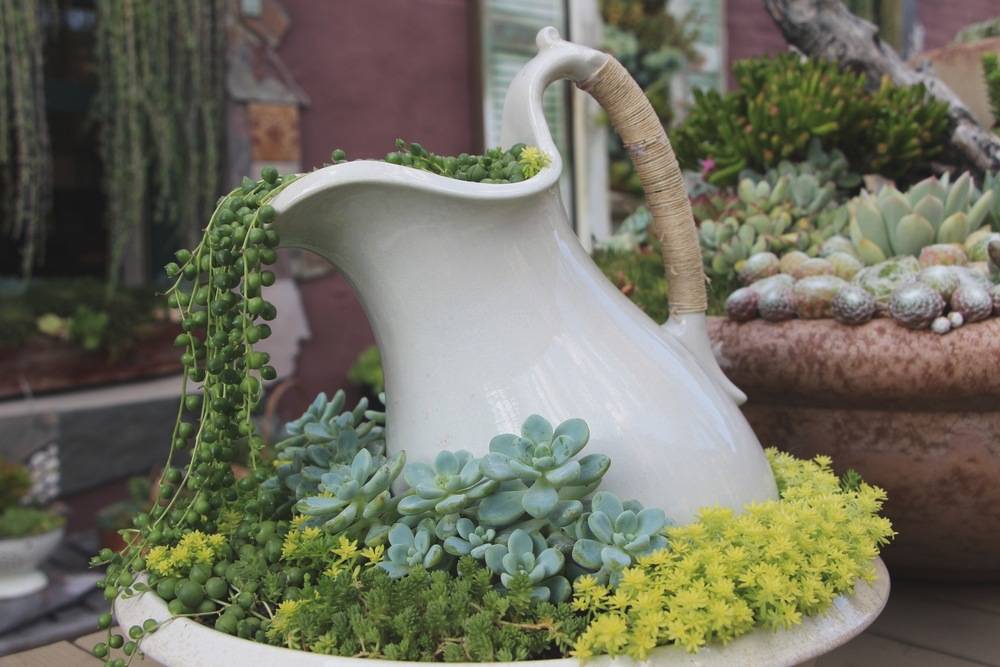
[[640, 129]]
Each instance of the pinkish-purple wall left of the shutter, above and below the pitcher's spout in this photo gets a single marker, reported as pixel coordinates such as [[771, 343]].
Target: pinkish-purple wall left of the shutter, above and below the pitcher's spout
[[373, 71]]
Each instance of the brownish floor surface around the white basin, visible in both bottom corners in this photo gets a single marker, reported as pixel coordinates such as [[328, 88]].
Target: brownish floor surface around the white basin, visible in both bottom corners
[[924, 625]]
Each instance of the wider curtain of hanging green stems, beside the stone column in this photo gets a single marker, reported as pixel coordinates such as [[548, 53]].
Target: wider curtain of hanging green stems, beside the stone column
[[160, 103]]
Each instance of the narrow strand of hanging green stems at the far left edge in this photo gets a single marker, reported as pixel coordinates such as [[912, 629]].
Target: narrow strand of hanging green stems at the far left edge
[[25, 159]]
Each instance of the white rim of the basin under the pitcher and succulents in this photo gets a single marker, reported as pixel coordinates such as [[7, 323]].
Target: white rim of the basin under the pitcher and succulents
[[185, 643]]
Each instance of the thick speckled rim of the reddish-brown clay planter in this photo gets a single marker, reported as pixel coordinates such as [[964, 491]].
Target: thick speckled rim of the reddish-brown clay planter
[[876, 363]]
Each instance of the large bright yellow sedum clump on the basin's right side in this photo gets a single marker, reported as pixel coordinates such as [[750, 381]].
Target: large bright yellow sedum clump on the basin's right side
[[725, 574]]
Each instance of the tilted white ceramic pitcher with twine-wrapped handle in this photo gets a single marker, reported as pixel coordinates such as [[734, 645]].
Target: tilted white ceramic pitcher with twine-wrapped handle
[[487, 309]]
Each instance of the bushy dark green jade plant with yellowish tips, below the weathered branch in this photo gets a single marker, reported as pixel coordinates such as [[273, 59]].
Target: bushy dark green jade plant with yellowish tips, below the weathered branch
[[785, 102]]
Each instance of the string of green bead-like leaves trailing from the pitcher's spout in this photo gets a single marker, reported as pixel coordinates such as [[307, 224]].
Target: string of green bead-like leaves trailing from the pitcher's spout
[[217, 291]]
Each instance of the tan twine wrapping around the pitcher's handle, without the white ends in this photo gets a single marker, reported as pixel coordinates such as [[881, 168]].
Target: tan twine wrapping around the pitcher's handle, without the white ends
[[673, 224]]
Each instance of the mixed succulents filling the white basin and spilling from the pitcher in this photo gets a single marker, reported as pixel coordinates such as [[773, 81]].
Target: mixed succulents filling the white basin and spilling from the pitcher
[[334, 545]]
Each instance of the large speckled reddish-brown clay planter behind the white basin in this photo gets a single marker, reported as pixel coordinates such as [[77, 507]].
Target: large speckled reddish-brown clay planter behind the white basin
[[912, 411]]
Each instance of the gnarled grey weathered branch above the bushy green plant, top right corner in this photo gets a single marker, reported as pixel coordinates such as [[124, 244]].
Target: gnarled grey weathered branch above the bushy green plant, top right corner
[[826, 28]]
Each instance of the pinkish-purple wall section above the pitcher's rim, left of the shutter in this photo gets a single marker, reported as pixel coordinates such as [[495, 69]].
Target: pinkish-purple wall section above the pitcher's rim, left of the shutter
[[379, 70]]
